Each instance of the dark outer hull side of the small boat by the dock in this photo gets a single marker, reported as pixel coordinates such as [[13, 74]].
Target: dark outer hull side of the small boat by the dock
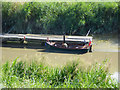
[[65, 49]]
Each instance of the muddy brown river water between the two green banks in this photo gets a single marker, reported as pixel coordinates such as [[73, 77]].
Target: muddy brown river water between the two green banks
[[102, 50]]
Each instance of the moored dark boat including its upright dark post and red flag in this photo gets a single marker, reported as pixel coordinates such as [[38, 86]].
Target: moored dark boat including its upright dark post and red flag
[[82, 46]]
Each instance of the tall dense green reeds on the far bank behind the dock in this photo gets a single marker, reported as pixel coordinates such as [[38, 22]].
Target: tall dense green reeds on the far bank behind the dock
[[73, 18]]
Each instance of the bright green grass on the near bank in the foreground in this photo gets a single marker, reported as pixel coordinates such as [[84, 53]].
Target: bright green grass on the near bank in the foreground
[[37, 75]]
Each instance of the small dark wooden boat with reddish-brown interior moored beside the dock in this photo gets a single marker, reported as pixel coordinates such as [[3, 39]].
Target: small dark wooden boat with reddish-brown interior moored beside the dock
[[69, 46]]
